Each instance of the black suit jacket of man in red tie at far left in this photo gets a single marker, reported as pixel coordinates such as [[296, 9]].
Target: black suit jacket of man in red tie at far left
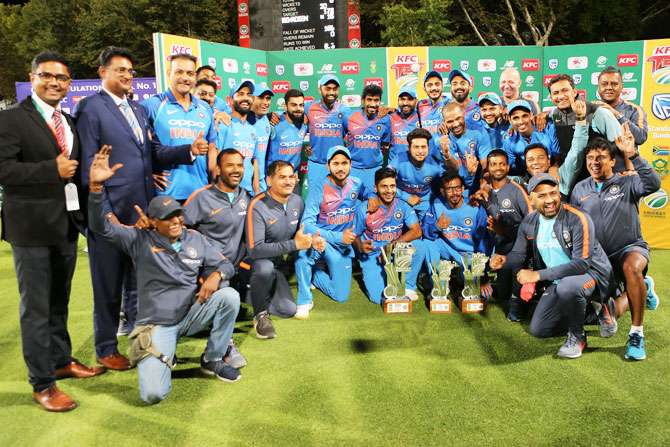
[[33, 211]]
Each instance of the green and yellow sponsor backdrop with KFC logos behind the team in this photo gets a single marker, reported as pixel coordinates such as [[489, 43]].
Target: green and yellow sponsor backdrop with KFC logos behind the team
[[645, 66]]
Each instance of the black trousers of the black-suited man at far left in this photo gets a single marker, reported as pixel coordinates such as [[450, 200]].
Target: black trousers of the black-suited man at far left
[[44, 275]]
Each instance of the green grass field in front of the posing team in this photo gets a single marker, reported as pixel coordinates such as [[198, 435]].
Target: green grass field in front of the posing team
[[350, 375]]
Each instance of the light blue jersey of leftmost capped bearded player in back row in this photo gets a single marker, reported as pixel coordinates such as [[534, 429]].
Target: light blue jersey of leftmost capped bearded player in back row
[[240, 135]]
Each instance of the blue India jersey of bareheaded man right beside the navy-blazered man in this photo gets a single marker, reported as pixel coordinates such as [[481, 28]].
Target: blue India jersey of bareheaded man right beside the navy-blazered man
[[174, 126]]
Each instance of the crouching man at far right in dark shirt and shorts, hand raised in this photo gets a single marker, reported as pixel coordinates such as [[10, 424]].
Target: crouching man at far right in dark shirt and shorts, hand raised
[[612, 202]]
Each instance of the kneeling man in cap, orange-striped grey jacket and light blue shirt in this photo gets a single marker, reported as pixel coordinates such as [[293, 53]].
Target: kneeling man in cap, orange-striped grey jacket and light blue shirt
[[565, 252]]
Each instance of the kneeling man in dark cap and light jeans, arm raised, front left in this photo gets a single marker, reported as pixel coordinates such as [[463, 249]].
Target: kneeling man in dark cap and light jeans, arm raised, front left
[[169, 262]]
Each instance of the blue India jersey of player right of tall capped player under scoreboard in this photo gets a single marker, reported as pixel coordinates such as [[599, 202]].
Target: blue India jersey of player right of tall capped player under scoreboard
[[364, 138]]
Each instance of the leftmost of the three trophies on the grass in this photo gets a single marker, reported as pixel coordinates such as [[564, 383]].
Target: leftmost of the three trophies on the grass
[[395, 300]]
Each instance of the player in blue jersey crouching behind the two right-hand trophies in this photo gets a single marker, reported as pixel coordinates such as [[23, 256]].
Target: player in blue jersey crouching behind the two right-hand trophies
[[452, 229]]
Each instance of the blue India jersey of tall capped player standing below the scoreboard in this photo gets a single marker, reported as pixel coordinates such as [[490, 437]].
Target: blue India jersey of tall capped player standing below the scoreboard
[[325, 128]]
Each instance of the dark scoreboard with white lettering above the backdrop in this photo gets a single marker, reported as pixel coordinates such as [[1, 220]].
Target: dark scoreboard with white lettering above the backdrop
[[308, 24]]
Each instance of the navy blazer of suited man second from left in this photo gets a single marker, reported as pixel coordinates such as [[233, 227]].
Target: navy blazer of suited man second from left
[[100, 121]]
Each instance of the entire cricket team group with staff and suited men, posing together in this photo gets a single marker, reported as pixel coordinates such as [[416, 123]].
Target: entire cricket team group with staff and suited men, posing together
[[191, 204]]
